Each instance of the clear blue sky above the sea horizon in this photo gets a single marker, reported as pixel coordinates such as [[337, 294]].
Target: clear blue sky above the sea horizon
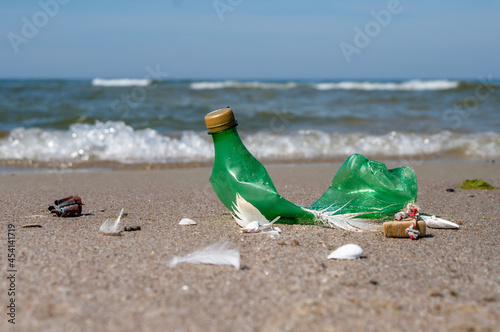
[[250, 39]]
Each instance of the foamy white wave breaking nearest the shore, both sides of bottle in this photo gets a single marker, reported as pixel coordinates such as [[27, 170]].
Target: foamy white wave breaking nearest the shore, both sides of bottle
[[116, 141]]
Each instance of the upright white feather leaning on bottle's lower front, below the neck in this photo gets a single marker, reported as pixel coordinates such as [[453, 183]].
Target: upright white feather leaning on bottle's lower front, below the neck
[[251, 220]]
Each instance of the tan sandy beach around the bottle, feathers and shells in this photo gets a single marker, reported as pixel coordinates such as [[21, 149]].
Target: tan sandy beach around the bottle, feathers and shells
[[72, 278]]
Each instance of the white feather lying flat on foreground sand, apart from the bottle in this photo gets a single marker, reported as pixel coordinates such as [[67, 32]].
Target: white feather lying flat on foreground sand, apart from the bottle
[[216, 254]]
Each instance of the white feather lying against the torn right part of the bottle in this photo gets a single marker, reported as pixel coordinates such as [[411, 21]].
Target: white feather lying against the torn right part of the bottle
[[345, 221]]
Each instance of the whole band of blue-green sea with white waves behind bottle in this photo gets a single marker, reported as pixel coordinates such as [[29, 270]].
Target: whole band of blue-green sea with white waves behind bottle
[[139, 121]]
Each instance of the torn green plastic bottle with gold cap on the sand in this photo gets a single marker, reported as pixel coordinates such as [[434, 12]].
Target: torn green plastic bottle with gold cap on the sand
[[360, 185]]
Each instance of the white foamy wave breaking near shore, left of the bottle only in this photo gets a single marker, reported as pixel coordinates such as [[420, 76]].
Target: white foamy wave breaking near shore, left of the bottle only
[[112, 141]]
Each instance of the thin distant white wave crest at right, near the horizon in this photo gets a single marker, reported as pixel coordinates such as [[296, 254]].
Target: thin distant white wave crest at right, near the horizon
[[413, 85]]
